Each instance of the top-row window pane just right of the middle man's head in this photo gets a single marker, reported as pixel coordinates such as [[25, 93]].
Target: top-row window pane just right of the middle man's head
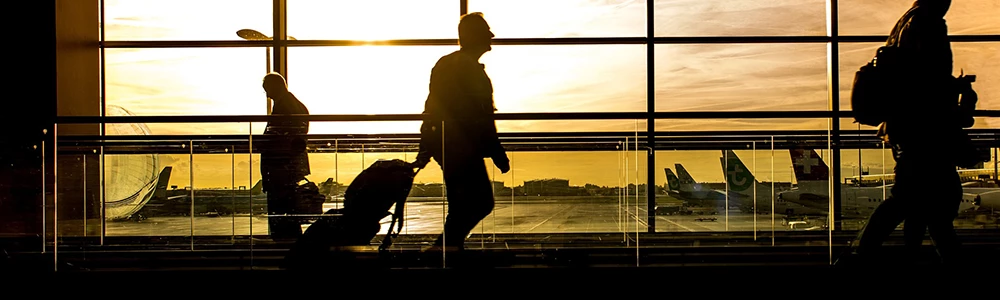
[[575, 18]]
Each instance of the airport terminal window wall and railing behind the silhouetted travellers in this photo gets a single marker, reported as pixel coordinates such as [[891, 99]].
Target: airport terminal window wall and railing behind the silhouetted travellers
[[639, 133]]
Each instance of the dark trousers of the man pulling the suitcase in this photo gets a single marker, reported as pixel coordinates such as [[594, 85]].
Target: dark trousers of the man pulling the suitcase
[[470, 199]]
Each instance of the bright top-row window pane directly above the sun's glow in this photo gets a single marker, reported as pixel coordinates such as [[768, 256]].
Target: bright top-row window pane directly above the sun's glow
[[372, 20]]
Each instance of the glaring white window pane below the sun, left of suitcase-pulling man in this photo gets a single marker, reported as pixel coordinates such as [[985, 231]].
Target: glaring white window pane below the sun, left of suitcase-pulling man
[[363, 79]]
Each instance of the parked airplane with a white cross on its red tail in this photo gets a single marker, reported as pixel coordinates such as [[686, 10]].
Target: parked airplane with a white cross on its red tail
[[813, 189]]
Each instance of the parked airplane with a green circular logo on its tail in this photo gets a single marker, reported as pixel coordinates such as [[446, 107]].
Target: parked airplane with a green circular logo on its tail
[[749, 194]]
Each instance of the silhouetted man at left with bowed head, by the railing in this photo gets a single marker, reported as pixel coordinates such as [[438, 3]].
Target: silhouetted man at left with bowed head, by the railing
[[284, 161]]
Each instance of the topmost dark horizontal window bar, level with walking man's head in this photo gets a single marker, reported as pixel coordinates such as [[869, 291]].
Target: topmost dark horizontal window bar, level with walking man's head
[[523, 41]]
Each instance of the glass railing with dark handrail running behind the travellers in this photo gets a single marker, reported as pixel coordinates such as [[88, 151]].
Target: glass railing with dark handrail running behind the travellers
[[132, 191]]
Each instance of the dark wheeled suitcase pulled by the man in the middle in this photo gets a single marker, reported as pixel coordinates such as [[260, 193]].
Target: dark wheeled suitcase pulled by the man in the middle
[[366, 202]]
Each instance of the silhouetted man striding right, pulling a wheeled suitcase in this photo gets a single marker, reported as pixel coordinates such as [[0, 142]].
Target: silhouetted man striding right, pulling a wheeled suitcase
[[459, 130]]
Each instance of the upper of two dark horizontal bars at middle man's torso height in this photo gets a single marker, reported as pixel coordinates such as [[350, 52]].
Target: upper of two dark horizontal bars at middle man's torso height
[[574, 116]]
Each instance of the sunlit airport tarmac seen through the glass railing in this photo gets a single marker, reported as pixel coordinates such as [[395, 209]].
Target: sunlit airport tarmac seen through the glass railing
[[427, 217]]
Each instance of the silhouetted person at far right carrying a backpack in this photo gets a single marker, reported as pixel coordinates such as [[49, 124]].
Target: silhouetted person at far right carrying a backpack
[[927, 190]]
